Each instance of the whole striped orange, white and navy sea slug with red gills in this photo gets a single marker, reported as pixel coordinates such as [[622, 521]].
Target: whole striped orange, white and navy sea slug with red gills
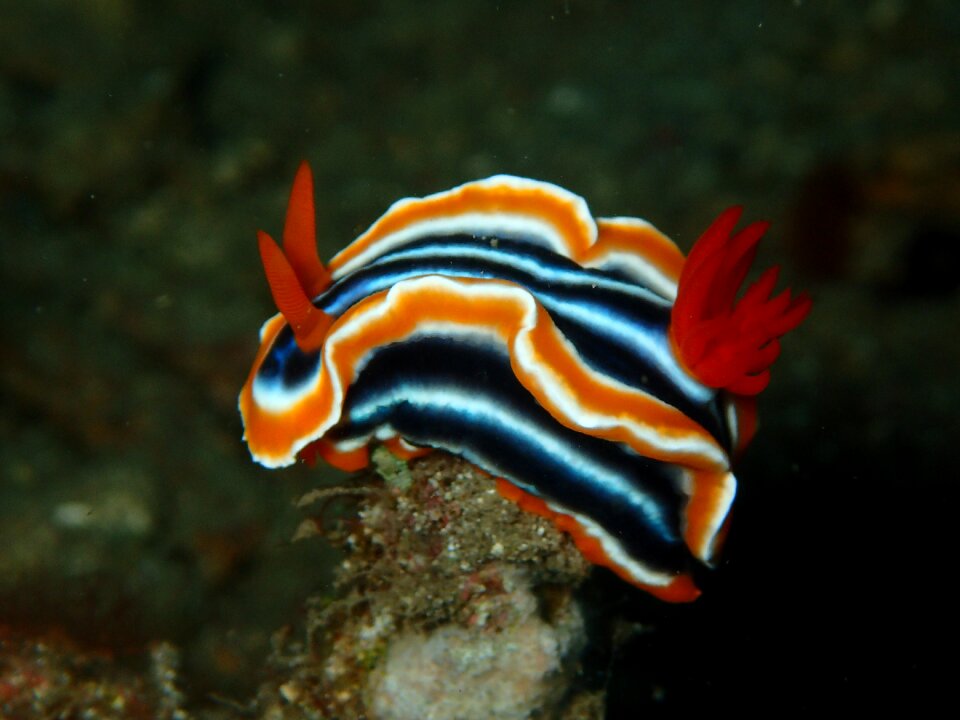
[[603, 379]]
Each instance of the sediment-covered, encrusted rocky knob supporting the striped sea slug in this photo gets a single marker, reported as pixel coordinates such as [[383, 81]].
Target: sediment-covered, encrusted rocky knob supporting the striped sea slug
[[452, 603]]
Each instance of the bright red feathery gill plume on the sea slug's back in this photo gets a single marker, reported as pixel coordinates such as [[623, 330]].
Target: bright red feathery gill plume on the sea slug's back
[[722, 341]]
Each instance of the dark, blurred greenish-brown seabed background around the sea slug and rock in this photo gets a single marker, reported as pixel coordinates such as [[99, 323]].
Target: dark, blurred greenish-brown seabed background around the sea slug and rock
[[143, 144]]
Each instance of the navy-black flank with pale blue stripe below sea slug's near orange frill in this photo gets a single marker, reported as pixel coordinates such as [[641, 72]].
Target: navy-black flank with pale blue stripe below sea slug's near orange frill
[[503, 445]]
